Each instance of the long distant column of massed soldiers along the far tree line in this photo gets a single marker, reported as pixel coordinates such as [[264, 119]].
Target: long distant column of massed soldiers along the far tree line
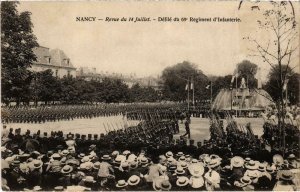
[[41, 114]]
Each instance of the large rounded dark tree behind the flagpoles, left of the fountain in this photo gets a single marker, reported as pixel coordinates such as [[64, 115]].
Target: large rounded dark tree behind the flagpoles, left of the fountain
[[175, 79]]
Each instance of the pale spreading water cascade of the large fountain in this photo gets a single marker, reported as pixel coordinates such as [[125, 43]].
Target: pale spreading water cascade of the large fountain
[[244, 99]]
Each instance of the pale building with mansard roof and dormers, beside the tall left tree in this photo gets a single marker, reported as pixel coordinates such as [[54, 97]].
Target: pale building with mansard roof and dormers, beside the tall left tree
[[55, 59]]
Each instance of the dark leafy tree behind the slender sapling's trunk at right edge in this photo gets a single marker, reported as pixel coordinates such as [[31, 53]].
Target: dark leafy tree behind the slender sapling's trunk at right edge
[[292, 85]]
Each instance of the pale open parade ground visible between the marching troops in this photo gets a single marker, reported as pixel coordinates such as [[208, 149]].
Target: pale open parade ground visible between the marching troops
[[199, 126]]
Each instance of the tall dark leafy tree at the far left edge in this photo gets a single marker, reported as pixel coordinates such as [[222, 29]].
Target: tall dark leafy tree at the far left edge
[[17, 42]]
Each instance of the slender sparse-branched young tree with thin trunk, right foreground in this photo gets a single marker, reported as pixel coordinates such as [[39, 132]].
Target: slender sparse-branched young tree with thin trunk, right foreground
[[279, 49]]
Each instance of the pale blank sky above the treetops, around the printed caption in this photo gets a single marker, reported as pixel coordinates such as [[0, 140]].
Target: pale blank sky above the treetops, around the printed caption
[[146, 48]]
